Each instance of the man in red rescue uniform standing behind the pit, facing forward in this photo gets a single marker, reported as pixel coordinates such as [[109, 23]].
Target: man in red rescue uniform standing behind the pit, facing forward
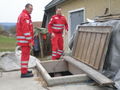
[[55, 27]]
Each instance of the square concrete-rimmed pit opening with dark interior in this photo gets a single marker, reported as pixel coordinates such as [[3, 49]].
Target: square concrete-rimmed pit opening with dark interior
[[60, 72]]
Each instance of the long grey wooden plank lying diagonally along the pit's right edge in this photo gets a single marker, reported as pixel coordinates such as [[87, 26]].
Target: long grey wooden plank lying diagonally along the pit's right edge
[[95, 75]]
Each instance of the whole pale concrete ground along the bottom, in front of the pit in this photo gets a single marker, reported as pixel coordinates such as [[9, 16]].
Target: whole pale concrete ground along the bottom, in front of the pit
[[12, 81]]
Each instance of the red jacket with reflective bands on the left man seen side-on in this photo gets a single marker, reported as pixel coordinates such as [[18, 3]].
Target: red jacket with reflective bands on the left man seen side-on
[[24, 29]]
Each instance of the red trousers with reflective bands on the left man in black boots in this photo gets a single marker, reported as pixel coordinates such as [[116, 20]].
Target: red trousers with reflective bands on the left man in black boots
[[25, 58]]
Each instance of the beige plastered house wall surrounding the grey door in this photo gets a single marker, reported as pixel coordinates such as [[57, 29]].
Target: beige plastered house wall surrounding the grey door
[[92, 8]]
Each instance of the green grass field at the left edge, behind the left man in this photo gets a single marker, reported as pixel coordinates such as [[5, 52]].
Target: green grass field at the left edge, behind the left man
[[7, 43]]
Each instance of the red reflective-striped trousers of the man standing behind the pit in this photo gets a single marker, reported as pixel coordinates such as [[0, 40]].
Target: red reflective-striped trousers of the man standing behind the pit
[[57, 46]]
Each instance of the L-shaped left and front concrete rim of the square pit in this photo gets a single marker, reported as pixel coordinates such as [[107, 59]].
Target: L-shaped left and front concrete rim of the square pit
[[60, 80]]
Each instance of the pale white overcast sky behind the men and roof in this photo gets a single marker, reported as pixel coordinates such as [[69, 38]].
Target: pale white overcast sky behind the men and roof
[[10, 9]]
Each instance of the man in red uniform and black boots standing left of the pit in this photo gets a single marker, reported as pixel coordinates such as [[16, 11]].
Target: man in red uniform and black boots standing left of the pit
[[24, 34]]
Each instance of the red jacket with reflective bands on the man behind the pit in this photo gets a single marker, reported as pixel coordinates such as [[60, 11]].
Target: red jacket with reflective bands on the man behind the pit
[[57, 24]]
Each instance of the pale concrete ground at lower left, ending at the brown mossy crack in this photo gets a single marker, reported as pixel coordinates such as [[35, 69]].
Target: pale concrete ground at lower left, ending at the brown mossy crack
[[12, 81]]
